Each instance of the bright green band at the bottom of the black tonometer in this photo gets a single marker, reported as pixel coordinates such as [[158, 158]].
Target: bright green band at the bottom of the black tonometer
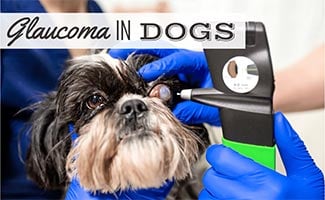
[[264, 155]]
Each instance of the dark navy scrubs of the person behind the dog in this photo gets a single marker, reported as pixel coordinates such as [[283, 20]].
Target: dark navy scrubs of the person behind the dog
[[26, 74]]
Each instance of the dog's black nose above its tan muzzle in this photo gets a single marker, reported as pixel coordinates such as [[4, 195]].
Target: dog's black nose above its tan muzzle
[[133, 108]]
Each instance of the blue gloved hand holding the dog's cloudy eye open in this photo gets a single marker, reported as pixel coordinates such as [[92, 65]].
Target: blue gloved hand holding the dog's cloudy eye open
[[190, 67]]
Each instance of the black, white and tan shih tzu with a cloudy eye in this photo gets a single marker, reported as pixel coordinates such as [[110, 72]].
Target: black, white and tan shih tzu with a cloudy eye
[[128, 137]]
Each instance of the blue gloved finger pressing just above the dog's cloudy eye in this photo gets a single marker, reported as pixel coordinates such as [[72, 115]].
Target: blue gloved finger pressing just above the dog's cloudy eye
[[179, 62]]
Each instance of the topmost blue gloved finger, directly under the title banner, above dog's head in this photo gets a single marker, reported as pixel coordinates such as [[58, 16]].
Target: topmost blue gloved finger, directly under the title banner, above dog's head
[[124, 53]]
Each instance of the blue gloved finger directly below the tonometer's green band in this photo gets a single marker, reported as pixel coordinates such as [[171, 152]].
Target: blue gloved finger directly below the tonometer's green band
[[225, 161]]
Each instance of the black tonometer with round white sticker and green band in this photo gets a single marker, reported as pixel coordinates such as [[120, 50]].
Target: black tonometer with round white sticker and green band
[[243, 90]]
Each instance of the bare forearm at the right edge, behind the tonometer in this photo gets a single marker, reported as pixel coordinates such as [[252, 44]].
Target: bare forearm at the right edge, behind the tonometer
[[301, 86]]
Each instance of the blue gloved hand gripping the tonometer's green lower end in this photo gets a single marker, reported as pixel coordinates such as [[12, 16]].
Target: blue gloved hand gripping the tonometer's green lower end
[[233, 176]]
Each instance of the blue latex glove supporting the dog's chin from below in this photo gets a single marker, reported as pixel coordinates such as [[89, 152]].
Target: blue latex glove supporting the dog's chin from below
[[75, 191]]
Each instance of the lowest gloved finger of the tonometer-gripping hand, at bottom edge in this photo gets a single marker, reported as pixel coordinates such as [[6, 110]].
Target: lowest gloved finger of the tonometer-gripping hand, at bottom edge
[[221, 186]]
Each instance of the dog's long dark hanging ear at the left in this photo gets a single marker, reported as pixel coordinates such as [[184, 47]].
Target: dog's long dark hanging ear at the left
[[49, 145]]
